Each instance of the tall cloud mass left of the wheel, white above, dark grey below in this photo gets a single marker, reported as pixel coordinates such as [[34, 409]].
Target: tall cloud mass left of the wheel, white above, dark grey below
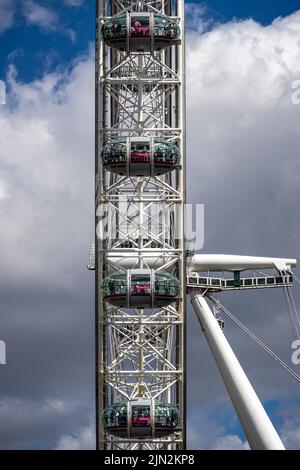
[[47, 295]]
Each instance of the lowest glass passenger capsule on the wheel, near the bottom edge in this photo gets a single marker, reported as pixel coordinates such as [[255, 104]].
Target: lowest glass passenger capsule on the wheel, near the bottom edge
[[140, 418]]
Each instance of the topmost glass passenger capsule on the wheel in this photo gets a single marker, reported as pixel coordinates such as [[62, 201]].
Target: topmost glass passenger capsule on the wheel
[[140, 31]]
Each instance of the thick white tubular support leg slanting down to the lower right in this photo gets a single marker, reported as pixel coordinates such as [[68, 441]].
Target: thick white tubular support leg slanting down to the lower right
[[257, 426]]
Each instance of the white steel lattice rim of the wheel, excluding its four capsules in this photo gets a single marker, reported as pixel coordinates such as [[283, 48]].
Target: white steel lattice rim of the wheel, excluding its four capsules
[[140, 94]]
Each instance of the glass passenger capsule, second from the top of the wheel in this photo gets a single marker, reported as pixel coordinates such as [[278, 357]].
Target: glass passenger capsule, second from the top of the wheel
[[140, 156]]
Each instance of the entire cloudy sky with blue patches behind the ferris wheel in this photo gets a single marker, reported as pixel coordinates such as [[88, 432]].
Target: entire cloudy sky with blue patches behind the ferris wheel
[[243, 164]]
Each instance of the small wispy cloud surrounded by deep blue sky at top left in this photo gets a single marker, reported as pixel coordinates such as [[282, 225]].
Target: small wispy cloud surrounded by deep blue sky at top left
[[45, 18]]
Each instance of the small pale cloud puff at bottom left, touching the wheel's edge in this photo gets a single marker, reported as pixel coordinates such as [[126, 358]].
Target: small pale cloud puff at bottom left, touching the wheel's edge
[[84, 439]]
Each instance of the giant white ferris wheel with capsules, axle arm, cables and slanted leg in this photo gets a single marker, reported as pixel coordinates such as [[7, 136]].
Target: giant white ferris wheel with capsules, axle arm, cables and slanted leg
[[143, 272]]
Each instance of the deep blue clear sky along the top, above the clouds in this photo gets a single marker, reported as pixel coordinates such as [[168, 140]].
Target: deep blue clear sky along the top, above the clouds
[[34, 49]]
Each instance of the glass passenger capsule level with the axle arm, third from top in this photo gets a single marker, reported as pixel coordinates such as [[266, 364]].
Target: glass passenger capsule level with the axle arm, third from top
[[140, 288]]
